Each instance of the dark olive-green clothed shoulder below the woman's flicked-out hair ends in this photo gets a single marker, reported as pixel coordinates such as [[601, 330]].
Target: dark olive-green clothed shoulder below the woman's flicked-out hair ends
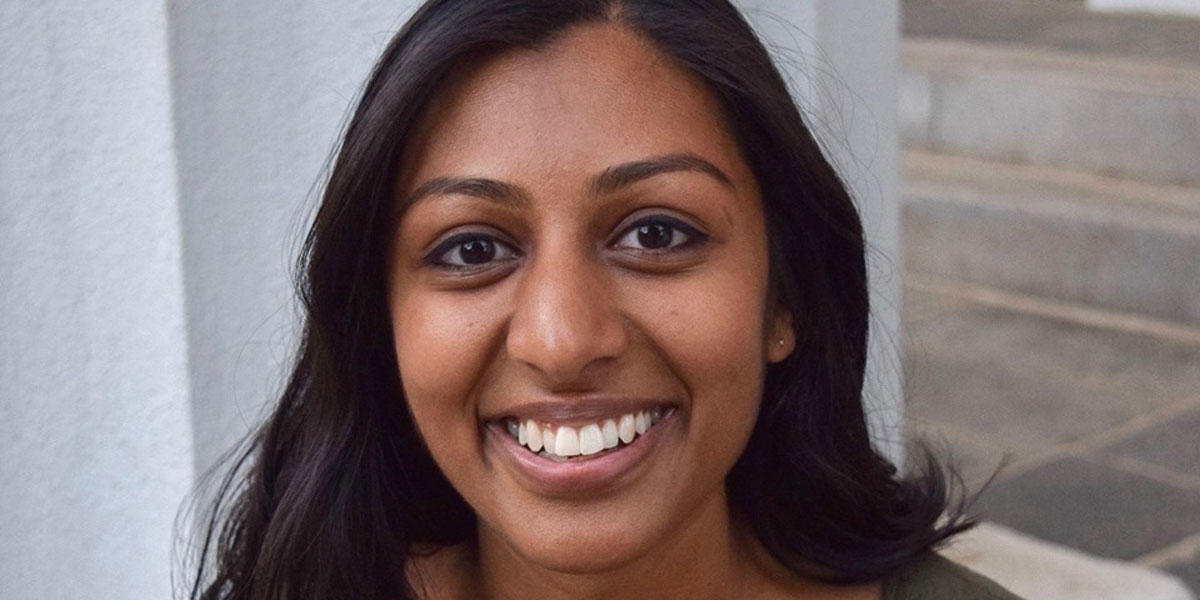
[[934, 578]]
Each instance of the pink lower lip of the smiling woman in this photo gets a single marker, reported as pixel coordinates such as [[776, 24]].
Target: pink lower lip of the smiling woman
[[579, 477]]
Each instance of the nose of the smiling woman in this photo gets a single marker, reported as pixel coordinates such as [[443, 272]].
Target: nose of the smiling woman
[[566, 319]]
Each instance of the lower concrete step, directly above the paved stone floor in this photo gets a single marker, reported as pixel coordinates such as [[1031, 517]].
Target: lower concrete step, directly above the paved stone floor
[[1106, 243]]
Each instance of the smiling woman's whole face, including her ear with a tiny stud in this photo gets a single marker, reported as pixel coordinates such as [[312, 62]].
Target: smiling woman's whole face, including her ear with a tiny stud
[[583, 268]]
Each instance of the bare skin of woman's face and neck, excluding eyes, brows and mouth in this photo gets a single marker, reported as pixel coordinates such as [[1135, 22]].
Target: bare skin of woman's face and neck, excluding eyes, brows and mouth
[[573, 305]]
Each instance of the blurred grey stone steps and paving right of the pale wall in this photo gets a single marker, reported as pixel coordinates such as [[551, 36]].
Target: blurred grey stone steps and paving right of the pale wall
[[1052, 263]]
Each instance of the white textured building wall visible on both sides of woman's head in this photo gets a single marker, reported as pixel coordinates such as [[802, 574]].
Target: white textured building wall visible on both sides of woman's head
[[159, 166]]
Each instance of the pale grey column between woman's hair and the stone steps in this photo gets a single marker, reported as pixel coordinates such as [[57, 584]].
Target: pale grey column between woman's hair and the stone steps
[[842, 58]]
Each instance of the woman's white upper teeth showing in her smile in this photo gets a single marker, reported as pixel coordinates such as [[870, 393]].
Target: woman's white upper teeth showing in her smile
[[568, 443]]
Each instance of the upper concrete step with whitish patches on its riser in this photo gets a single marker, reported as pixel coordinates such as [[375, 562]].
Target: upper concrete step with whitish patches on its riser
[[1132, 117]]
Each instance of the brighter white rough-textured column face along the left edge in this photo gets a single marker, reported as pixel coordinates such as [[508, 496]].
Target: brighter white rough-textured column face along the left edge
[[95, 441]]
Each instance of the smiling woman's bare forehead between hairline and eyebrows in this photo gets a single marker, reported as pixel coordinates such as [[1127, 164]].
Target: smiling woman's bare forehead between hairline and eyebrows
[[598, 97]]
